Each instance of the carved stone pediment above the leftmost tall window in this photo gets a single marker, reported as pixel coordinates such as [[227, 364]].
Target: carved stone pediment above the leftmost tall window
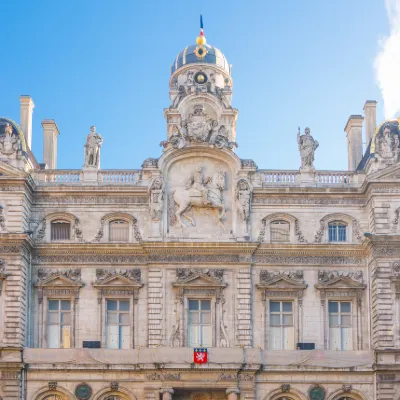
[[62, 283]]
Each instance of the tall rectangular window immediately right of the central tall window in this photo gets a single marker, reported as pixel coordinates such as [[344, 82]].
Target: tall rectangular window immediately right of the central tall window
[[281, 325]]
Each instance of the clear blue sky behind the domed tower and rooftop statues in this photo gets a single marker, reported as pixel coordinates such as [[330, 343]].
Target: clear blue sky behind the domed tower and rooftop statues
[[106, 63]]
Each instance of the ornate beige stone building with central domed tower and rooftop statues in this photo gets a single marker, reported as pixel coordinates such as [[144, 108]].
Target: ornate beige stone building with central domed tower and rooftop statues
[[109, 279]]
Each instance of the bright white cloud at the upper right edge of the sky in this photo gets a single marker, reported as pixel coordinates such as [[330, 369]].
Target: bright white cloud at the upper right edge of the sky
[[387, 62]]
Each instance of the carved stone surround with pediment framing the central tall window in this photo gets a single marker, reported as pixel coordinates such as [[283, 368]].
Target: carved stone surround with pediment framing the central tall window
[[199, 281]]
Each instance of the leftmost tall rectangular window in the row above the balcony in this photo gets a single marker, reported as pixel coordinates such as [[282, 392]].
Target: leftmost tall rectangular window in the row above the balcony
[[59, 324]]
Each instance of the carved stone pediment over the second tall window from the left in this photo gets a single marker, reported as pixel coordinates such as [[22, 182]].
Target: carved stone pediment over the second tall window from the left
[[117, 282]]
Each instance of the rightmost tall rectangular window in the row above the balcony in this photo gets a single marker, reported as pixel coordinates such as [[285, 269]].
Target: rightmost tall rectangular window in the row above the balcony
[[340, 332]]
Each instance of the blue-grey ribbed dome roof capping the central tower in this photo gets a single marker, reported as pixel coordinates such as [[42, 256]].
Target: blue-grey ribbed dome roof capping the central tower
[[188, 56]]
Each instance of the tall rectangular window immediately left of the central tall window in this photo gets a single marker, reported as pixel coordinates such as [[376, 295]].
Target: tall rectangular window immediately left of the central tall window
[[117, 324]]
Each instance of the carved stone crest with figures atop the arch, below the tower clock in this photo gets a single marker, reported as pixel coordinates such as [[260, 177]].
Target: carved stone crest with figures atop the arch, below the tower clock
[[199, 127]]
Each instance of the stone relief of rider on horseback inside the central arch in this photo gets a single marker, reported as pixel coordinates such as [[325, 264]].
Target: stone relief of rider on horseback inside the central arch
[[201, 193]]
